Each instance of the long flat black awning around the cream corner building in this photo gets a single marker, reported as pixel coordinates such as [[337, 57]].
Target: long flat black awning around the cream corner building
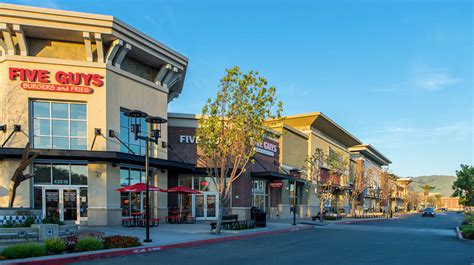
[[98, 156]]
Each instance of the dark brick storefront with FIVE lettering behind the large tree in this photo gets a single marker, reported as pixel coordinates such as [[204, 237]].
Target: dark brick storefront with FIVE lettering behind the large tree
[[265, 186]]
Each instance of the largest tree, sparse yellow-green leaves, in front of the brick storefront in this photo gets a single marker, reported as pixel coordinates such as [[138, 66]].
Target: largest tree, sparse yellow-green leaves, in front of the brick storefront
[[231, 125]]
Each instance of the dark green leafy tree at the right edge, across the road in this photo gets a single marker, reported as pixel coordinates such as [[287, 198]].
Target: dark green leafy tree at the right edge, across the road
[[463, 186]]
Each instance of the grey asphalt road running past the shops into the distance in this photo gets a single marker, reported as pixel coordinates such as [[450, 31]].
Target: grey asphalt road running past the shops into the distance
[[410, 240]]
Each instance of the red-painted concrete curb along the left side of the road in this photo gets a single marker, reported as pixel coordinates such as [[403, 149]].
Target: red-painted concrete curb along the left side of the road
[[104, 254]]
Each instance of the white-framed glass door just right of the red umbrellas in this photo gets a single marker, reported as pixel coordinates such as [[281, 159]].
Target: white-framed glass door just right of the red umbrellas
[[206, 206]]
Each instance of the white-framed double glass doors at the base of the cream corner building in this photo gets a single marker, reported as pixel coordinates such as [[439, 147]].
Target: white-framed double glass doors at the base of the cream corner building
[[61, 204]]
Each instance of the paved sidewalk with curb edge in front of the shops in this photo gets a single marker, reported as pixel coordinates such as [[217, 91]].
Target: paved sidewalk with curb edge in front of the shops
[[166, 236]]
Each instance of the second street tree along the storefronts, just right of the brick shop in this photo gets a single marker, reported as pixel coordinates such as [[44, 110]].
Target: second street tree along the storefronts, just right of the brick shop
[[325, 184]]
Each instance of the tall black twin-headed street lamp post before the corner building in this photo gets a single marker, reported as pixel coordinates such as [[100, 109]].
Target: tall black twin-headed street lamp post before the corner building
[[152, 135]]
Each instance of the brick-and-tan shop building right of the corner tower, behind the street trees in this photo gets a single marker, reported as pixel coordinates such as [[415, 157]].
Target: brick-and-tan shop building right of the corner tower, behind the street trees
[[269, 183]]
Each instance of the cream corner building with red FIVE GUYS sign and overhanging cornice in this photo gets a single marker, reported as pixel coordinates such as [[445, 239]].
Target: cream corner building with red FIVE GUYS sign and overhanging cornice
[[67, 78]]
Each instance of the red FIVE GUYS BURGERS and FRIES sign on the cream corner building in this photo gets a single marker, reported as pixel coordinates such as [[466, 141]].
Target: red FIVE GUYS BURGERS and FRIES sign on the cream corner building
[[68, 82]]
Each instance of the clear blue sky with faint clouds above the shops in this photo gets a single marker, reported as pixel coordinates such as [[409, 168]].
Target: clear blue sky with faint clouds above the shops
[[397, 74]]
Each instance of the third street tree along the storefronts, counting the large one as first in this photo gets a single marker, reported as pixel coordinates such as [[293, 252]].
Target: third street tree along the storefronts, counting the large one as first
[[360, 182]]
